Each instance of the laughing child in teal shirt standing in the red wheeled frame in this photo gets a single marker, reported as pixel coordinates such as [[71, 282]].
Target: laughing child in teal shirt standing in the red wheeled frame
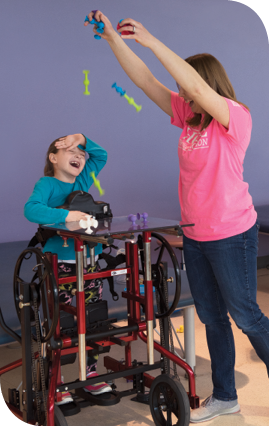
[[67, 170]]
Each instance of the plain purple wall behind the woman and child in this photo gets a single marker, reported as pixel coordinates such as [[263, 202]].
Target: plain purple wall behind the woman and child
[[45, 48]]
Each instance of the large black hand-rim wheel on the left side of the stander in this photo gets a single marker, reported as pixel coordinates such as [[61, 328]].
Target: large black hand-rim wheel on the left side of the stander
[[34, 268]]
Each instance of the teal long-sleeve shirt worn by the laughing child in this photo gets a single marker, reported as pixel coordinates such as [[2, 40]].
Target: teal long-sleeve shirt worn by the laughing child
[[50, 193]]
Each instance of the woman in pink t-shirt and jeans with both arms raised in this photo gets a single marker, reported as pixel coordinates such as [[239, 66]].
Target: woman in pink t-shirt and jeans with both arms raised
[[221, 249]]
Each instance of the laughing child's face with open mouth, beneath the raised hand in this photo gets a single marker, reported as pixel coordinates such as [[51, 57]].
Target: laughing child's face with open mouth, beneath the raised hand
[[68, 164]]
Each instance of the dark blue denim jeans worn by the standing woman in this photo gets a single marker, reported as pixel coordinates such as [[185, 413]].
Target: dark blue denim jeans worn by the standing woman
[[223, 278]]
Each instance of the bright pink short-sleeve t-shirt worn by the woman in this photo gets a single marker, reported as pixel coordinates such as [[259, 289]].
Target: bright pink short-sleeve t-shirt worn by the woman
[[212, 193]]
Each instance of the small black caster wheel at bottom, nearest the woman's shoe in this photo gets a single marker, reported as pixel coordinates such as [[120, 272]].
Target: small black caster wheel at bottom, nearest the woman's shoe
[[169, 402]]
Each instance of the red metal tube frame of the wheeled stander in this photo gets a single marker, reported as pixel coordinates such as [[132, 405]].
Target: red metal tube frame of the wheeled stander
[[134, 299]]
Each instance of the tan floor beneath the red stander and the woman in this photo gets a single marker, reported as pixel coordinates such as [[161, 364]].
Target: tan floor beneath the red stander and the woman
[[251, 380]]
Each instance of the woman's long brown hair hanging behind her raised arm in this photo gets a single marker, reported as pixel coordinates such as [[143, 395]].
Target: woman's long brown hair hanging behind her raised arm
[[213, 72]]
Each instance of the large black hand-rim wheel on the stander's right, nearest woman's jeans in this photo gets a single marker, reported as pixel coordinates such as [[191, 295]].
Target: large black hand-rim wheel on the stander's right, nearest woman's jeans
[[165, 252]]
